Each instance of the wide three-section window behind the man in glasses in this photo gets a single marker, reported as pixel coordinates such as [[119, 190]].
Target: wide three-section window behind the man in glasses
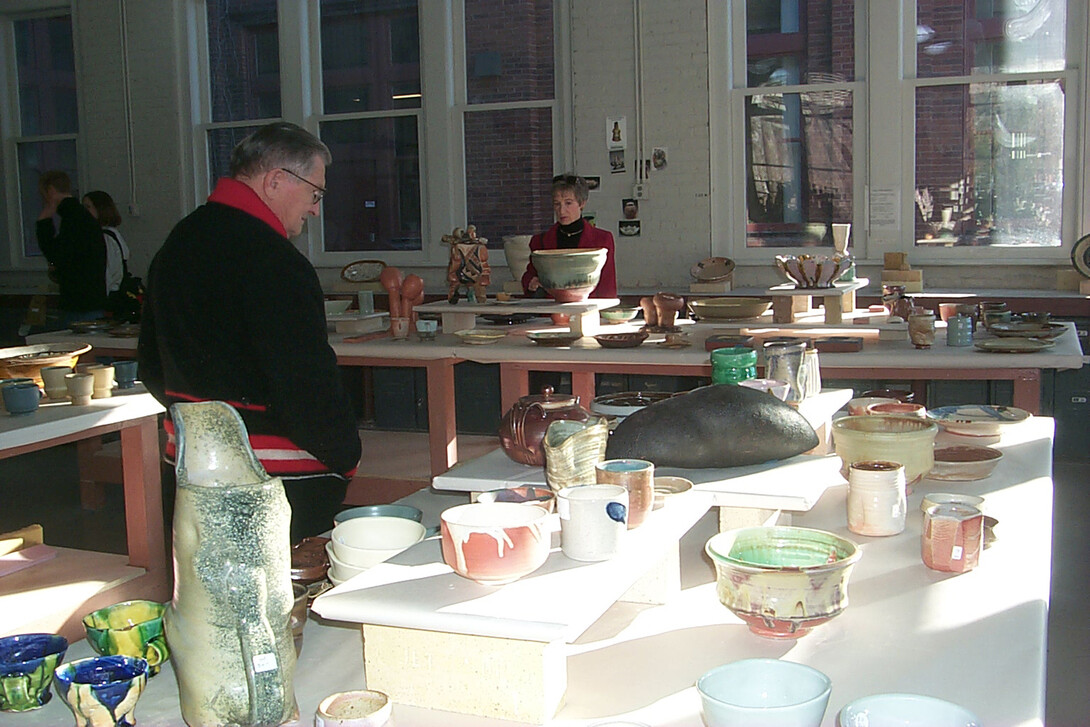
[[428, 131]]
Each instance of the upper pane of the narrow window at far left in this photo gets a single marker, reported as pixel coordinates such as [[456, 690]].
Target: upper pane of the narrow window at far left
[[46, 67]]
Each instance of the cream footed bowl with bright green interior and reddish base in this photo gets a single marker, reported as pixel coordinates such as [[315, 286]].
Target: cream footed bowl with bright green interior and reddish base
[[783, 581]]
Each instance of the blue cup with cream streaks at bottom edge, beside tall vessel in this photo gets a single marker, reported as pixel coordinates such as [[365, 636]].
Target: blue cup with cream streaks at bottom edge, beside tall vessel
[[103, 692]]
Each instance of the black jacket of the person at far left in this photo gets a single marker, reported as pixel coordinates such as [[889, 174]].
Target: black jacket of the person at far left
[[78, 253]]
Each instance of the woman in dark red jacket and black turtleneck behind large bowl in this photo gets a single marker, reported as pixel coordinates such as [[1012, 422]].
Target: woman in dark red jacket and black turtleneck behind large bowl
[[572, 231]]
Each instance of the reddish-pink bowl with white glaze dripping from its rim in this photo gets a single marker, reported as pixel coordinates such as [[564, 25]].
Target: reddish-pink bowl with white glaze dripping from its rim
[[495, 543]]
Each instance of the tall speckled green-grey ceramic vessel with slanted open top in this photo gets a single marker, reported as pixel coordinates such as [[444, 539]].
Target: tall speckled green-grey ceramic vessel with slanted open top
[[228, 625]]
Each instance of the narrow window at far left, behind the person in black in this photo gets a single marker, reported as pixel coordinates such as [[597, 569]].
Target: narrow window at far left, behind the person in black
[[49, 119]]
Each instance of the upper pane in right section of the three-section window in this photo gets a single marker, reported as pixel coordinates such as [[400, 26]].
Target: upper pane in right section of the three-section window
[[510, 51]]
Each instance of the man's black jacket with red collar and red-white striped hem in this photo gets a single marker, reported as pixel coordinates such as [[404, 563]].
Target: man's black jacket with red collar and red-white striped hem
[[235, 313]]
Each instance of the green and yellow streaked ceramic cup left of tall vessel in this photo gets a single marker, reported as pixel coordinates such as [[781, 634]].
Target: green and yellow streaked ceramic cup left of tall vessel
[[132, 628]]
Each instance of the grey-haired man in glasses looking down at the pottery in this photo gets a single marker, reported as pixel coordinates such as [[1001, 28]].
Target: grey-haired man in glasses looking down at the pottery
[[235, 313]]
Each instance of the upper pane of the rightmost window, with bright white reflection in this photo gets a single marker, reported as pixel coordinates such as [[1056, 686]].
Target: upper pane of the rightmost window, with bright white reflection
[[954, 38]]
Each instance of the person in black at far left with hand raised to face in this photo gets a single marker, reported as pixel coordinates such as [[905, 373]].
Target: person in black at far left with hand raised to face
[[75, 248]]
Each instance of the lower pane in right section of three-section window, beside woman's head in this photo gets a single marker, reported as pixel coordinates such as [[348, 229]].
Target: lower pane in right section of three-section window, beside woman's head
[[508, 173]]
